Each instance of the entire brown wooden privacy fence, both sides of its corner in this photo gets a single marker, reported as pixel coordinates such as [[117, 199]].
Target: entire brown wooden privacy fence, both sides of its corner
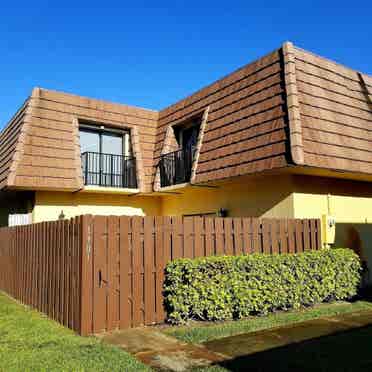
[[96, 273]]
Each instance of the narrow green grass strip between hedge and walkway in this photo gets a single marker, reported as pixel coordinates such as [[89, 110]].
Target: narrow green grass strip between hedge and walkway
[[198, 332]]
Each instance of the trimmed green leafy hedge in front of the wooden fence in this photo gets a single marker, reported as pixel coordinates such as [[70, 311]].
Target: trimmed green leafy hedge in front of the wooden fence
[[230, 287]]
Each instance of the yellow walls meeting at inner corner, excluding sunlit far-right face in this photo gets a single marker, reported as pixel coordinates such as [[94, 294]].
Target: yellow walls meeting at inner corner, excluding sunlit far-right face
[[250, 196]]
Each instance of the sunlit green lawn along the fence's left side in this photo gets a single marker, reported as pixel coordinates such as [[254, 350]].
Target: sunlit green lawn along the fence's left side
[[30, 341]]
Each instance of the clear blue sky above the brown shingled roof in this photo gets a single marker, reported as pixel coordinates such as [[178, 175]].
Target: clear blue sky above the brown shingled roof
[[153, 53]]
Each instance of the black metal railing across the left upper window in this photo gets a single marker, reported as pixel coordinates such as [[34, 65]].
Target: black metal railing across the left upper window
[[109, 170]]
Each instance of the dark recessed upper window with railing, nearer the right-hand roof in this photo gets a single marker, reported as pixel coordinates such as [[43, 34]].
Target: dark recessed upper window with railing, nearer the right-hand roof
[[176, 166]]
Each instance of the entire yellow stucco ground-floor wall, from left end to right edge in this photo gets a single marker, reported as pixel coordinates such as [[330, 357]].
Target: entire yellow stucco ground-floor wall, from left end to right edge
[[289, 196]]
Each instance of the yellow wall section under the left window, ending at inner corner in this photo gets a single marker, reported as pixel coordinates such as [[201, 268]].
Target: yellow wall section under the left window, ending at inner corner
[[49, 205]]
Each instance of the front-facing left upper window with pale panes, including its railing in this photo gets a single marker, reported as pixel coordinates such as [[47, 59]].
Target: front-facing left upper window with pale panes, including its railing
[[106, 157]]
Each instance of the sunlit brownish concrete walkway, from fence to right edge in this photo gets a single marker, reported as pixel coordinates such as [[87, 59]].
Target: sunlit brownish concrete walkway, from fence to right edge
[[167, 353]]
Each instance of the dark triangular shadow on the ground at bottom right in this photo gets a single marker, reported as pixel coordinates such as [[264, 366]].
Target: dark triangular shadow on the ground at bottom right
[[344, 351]]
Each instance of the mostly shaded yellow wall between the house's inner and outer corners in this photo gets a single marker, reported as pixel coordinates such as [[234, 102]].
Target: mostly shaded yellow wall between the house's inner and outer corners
[[268, 196]]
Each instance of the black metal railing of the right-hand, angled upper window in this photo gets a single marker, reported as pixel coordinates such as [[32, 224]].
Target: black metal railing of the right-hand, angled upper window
[[175, 167]]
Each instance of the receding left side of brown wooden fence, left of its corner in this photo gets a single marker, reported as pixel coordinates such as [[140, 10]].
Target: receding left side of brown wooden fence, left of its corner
[[40, 265]]
